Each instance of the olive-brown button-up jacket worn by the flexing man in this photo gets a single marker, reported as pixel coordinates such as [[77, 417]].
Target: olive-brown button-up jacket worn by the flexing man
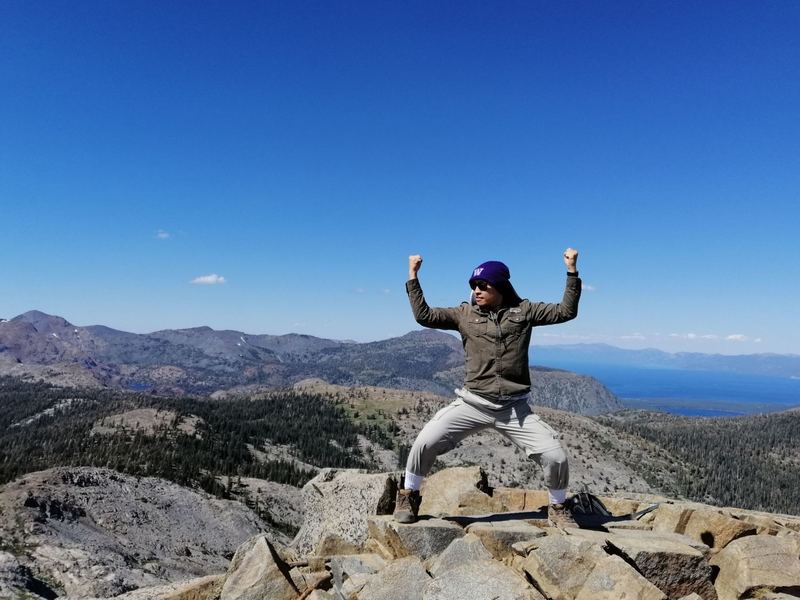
[[496, 343]]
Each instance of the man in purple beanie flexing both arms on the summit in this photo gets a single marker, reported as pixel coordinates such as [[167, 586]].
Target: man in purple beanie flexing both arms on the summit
[[496, 328]]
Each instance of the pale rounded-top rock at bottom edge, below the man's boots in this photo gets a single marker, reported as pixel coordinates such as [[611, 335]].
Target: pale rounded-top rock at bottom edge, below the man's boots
[[484, 580]]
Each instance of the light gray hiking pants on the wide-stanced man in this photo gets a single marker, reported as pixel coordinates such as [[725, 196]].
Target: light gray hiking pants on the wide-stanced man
[[516, 421]]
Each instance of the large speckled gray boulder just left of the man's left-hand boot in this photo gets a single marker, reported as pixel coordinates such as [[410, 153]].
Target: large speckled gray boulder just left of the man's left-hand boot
[[337, 502]]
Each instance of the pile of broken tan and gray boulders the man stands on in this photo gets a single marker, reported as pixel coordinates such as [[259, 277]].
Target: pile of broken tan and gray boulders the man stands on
[[476, 543]]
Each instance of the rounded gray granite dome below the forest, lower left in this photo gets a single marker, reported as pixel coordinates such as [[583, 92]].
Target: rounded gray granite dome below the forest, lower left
[[96, 532]]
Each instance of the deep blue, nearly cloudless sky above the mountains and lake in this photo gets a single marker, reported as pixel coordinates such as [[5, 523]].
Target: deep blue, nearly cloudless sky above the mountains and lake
[[300, 151]]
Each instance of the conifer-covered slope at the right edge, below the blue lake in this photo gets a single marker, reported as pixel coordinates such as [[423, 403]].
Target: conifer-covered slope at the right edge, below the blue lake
[[752, 462]]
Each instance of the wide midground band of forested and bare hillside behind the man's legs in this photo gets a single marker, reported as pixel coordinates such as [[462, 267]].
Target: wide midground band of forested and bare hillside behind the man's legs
[[286, 436]]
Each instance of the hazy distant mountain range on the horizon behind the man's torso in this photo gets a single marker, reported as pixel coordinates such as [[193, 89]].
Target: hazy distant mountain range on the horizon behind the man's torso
[[203, 361]]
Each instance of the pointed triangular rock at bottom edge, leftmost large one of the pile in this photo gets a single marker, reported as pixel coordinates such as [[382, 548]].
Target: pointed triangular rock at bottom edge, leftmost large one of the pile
[[257, 572]]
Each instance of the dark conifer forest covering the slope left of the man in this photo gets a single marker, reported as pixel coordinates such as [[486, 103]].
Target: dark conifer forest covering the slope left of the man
[[42, 426]]
